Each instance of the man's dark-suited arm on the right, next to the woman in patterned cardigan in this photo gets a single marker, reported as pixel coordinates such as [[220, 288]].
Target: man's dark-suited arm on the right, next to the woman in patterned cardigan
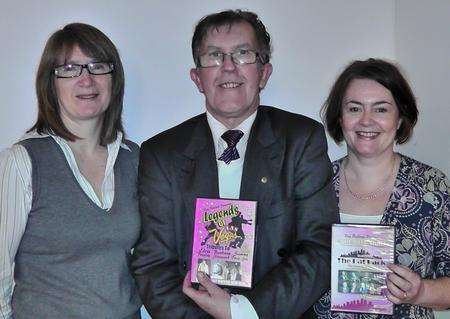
[[303, 275]]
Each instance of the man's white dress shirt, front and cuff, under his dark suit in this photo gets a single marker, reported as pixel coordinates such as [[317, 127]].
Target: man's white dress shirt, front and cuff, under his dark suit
[[229, 187]]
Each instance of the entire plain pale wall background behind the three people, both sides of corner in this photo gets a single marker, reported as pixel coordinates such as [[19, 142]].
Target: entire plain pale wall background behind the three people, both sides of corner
[[312, 41]]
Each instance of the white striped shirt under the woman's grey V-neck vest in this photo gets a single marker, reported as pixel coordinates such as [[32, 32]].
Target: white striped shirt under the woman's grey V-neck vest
[[16, 195]]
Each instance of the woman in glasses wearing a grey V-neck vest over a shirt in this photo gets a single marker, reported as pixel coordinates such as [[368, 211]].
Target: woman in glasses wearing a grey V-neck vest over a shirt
[[69, 213]]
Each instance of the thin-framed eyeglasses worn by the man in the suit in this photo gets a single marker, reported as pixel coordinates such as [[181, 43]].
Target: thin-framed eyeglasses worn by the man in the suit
[[239, 57]]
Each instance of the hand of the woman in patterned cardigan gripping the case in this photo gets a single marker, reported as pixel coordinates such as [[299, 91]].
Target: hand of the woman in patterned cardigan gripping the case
[[404, 285]]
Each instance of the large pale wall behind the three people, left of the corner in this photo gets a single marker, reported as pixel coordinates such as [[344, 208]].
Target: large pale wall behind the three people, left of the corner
[[312, 41]]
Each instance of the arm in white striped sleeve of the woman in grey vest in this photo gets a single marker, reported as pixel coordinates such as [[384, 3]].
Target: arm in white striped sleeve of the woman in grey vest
[[15, 203]]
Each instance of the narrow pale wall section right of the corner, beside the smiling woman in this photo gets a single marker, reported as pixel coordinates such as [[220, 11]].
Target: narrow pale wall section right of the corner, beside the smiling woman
[[422, 38]]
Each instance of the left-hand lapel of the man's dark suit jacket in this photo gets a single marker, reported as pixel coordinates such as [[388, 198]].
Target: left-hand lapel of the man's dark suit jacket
[[197, 168]]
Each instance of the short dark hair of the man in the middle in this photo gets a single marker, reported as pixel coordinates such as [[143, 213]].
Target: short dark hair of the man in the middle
[[229, 18]]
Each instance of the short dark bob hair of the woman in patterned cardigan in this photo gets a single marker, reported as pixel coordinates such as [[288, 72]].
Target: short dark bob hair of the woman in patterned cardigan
[[386, 74]]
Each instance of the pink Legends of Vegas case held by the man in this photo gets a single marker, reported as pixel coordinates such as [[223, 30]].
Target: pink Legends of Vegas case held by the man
[[224, 241]]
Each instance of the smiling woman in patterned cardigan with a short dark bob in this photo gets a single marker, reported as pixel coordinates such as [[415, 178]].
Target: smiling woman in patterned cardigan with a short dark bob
[[371, 107]]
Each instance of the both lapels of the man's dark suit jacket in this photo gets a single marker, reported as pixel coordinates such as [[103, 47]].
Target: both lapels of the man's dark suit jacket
[[197, 167]]
